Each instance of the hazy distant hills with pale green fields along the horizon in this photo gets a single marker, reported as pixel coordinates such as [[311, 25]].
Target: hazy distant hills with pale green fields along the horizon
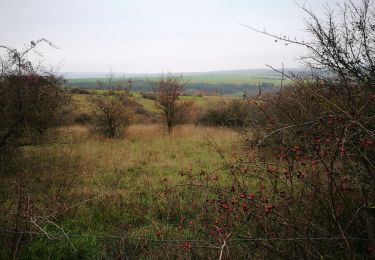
[[225, 82]]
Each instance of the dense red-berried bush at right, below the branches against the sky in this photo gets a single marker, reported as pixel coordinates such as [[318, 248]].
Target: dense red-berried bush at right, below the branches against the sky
[[303, 186]]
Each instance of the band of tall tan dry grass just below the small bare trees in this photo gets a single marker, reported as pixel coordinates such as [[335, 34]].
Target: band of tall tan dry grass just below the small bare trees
[[151, 150]]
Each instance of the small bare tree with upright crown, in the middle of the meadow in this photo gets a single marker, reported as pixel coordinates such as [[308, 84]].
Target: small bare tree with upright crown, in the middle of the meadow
[[167, 92]]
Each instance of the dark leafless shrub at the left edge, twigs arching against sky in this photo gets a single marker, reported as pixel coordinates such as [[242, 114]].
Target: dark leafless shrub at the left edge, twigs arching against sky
[[31, 100]]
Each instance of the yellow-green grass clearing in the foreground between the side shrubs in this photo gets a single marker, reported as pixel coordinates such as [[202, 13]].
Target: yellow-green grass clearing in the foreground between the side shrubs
[[92, 185]]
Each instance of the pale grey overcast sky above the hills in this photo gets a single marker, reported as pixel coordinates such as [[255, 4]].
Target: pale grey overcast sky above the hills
[[156, 35]]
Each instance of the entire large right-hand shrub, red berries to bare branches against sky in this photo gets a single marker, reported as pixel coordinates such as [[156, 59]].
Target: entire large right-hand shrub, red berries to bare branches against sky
[[304, 187]]
